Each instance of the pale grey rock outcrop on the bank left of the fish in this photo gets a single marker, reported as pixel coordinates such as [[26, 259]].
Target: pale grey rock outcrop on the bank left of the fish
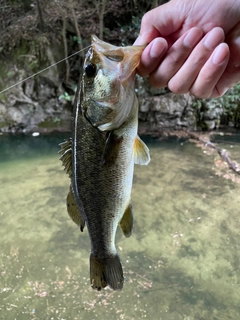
[[34, 106]]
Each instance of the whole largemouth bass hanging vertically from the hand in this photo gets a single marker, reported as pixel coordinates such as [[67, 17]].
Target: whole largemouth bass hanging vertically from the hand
[[100, 156]]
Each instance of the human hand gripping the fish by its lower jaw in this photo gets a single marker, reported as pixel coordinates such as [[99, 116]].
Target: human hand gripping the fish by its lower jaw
[[192, 56]]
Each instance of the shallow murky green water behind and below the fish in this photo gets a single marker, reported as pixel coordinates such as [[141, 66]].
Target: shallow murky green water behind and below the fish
[[182, 262]]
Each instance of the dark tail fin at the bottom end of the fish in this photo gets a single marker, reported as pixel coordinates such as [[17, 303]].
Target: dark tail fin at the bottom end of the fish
[[106, 272]]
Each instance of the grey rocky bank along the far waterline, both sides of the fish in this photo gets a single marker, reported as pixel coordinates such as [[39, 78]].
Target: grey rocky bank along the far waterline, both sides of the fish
[[41, 104]]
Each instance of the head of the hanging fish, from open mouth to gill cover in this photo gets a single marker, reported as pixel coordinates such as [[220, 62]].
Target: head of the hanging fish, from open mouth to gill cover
[[108, 83]]
